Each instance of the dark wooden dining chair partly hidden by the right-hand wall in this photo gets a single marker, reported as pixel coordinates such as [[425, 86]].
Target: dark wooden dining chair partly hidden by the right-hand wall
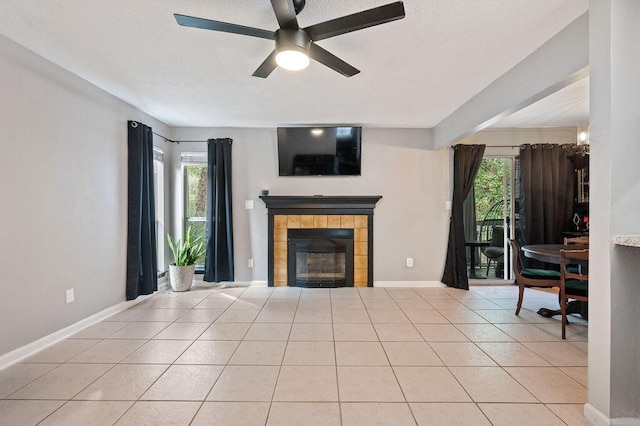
[[574, 282]]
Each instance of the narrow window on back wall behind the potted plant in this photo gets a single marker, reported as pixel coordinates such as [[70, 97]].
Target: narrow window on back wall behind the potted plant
[[194, 172]]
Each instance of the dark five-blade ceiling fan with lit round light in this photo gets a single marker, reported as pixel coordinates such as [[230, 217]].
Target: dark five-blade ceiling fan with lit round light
[[295, 45]]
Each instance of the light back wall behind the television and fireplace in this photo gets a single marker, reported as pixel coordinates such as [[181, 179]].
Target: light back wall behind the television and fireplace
[[409, 221]]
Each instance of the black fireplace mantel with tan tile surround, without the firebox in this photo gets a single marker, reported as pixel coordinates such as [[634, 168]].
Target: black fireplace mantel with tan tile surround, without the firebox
[[321, 212]]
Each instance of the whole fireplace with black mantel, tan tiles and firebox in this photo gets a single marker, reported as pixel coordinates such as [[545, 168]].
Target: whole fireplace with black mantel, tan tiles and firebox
[[320, 241]]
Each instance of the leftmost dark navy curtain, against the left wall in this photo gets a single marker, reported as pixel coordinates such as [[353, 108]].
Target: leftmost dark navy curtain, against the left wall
[[142, 276]]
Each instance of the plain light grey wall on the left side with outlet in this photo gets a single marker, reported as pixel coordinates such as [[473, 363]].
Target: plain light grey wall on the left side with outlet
[[63, 189]]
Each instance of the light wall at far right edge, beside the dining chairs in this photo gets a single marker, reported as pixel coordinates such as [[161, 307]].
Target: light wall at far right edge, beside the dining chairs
[[614, 341]]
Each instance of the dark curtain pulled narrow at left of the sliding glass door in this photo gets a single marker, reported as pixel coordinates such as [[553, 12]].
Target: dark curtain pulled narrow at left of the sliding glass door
[[466, 162]]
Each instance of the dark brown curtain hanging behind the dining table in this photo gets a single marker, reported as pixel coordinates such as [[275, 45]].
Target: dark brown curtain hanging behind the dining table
[[546, 194]]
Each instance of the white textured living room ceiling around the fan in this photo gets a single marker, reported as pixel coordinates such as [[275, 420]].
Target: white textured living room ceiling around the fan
[[414, 72]]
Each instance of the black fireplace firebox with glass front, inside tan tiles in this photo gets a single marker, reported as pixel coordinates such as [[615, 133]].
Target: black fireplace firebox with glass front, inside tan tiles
[[320, 257]]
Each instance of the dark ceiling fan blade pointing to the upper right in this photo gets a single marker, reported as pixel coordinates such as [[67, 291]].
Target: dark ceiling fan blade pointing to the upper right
[[357, 21]]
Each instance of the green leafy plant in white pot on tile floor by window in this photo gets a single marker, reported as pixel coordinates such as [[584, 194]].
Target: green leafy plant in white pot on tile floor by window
[[185, 255]]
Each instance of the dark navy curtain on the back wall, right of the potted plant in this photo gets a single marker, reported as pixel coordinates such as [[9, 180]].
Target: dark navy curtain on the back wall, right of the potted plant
[[218, 263]]
